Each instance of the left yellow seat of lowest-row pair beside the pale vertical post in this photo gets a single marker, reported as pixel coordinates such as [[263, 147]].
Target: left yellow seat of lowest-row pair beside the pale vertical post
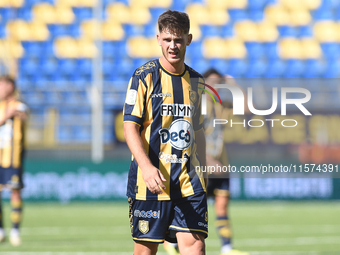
[[66, 47]]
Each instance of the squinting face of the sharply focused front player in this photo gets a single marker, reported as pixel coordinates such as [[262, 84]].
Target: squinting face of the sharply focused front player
[[174, 46]]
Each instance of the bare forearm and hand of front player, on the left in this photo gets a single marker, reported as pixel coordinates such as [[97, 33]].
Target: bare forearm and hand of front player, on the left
[[152, 176]]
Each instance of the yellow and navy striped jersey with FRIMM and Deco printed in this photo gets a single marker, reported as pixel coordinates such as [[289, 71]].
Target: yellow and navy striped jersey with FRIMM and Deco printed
[[166, 106]]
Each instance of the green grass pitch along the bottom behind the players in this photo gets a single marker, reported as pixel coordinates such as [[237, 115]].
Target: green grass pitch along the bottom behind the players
[[262, 228]]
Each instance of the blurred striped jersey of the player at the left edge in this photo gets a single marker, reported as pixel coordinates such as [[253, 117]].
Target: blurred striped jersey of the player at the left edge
[[11, 137]]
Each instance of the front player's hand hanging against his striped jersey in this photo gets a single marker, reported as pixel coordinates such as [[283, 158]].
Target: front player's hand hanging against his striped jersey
[[154, 179]]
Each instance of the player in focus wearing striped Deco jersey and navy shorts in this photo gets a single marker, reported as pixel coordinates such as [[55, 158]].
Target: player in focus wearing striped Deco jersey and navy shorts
[[163, 128]]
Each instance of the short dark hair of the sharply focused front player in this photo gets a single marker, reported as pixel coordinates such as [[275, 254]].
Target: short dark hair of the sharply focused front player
[[174, 21]]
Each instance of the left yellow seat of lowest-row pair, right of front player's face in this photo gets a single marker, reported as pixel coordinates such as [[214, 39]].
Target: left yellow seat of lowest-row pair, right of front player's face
[[214, 47]]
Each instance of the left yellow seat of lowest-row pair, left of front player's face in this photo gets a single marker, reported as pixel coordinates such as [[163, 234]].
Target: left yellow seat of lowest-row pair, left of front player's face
[[139, 47]]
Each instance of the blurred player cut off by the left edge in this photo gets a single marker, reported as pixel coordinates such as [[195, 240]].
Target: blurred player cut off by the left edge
[[13, 114]]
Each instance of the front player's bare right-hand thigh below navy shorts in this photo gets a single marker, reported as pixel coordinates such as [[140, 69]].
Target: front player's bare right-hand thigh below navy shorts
[[191, 243]]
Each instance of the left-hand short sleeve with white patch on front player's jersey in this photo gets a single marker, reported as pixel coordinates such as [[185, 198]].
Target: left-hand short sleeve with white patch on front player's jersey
[[135, 101]]
